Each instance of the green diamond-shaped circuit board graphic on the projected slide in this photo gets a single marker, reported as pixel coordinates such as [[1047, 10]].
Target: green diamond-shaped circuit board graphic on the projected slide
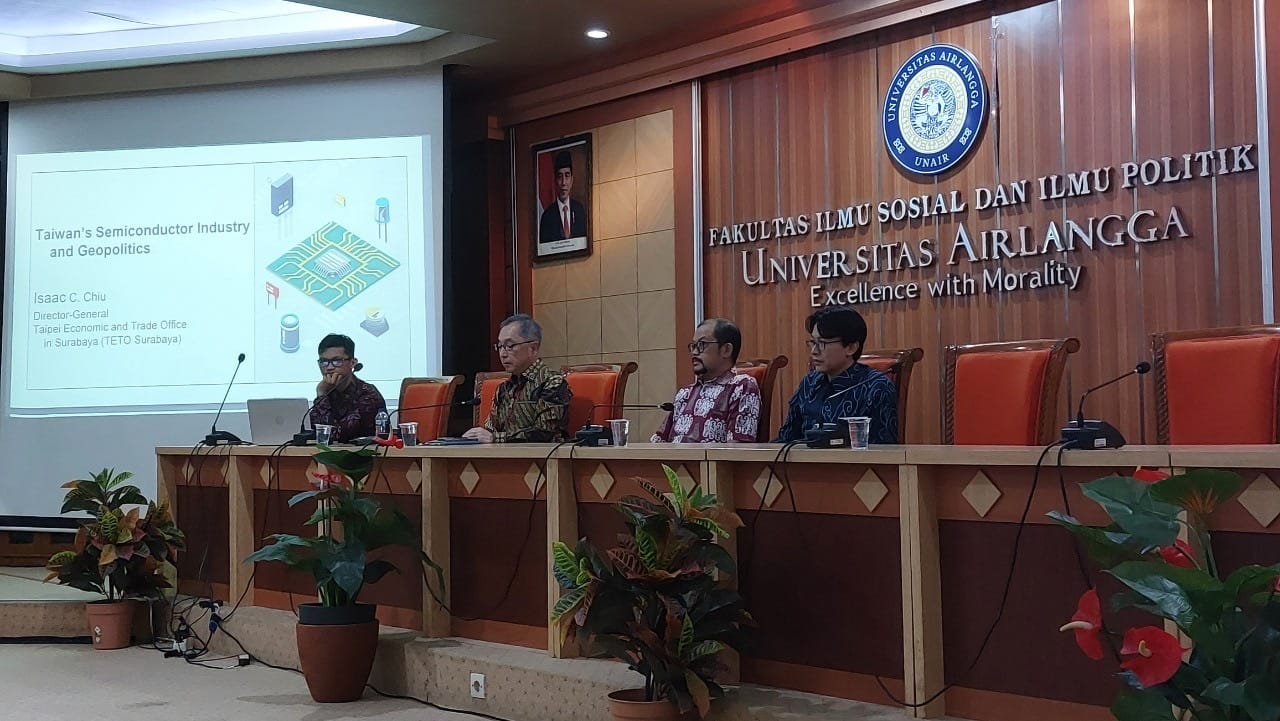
[[333, 266]]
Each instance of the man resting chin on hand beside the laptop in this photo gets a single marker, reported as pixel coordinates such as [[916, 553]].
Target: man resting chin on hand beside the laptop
[[344, 401]]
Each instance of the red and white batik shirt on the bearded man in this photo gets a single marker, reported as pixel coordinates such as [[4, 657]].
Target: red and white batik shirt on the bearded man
[[725, 409]]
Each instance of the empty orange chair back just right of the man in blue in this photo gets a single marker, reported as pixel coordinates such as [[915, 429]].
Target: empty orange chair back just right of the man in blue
[[1004, 394]]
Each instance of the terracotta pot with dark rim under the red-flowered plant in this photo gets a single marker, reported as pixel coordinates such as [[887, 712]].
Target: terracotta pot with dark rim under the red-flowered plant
[[337, 659]]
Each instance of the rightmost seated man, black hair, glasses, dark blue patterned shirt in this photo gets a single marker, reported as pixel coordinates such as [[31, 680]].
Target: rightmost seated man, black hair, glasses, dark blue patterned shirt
[[839, 386]]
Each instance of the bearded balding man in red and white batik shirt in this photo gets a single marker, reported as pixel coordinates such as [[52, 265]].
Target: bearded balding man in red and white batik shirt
[[723, 405]]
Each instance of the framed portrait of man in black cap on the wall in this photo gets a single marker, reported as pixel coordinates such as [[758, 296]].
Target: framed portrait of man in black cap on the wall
[[563, 180]]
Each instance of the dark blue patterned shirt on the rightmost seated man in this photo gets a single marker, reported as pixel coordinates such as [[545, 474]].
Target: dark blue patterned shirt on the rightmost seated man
[[863, 393]]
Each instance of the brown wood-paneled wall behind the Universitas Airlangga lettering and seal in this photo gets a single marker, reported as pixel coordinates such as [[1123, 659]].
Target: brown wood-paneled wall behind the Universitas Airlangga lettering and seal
[[1075, 85]]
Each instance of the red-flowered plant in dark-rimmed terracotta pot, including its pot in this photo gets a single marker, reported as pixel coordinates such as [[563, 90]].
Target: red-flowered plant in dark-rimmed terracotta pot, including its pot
[[339, 636]]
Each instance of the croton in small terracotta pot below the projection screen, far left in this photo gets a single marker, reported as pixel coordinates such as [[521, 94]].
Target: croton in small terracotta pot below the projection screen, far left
[[118, 553]]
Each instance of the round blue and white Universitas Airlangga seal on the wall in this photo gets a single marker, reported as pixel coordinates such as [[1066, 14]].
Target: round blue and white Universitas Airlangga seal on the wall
[[935, 109]]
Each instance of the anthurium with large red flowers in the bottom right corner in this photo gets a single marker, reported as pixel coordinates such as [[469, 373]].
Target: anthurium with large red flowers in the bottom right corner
[[1158, 546]]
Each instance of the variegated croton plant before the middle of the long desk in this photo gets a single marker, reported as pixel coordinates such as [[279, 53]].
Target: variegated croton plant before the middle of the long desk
[[659, 603]]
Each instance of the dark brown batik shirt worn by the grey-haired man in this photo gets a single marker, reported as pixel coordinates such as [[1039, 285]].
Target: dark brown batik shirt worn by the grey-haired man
[[531, 408]]
